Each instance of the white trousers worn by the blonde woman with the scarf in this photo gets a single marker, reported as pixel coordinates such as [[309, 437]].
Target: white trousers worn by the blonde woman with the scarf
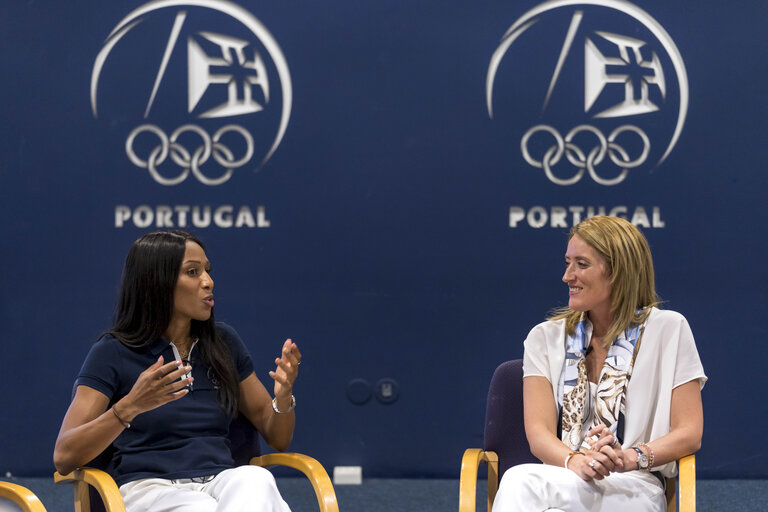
[[538, 487]]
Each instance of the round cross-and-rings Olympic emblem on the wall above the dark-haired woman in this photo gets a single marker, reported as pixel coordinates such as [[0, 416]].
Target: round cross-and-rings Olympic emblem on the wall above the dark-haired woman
[[196, 87]]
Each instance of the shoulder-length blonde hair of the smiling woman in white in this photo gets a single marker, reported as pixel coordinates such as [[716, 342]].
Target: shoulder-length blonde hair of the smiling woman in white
[[630, 270]]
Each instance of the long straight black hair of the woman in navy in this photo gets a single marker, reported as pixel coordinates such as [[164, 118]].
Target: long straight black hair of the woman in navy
[[146, 305]]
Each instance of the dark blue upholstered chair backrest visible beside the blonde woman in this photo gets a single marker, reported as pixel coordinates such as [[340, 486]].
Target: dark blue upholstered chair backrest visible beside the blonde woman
[[504, 427]]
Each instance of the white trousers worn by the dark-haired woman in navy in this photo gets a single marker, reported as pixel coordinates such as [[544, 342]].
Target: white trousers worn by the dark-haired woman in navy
[[240, 489]]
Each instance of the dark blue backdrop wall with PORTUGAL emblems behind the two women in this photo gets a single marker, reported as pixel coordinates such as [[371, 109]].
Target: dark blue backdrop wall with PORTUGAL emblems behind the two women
[[388, 183]]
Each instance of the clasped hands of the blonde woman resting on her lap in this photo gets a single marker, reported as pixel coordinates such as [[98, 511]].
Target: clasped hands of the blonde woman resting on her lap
[[604, 457]]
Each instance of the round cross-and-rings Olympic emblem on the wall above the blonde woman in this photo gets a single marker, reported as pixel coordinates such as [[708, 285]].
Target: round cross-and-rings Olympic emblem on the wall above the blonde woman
[[609, 104]]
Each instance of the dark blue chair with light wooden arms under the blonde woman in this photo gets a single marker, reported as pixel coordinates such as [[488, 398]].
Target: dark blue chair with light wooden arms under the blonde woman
[[505, 445]]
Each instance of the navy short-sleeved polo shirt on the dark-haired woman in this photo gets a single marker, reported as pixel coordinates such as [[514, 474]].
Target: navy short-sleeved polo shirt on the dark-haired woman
[[185, 438]]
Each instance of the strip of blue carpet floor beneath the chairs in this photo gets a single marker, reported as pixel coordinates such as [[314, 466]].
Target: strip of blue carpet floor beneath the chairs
[[396, 495]]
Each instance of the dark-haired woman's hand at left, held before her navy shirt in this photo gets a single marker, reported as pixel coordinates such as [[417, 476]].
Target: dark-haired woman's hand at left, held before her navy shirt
[[156, 386]]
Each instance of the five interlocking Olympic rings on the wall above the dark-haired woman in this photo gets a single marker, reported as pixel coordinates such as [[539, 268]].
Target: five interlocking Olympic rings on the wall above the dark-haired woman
[[190, 161]]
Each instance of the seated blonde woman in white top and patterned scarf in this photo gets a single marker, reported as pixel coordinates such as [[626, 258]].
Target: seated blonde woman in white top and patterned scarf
[[611, 385]]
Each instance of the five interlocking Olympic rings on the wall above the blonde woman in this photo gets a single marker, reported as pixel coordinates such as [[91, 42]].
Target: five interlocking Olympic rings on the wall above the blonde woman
[[581, 160]]
